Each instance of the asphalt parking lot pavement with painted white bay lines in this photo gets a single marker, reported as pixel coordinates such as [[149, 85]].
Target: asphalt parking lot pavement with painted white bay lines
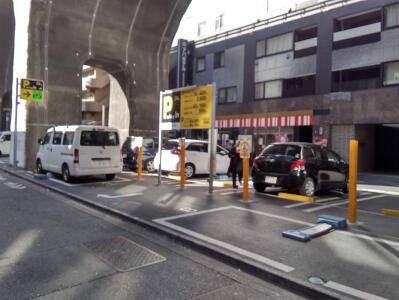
[[253, 230]]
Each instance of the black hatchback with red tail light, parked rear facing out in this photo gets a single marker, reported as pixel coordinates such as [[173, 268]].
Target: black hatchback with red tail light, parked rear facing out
[[302, 167]]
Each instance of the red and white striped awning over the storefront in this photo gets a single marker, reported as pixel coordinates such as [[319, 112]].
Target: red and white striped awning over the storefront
[[277, 119]]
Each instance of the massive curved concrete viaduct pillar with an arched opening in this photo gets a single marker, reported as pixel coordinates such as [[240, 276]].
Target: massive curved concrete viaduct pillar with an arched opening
[[130, 39]]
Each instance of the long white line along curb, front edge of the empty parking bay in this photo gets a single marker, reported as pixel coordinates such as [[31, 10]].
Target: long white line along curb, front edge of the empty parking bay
[[272, 263]]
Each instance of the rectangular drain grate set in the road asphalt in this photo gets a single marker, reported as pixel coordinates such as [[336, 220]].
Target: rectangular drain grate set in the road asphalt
[[123, 254]]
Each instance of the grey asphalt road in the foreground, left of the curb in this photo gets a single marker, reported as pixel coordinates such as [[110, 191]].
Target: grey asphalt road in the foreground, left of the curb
[[54, 248]]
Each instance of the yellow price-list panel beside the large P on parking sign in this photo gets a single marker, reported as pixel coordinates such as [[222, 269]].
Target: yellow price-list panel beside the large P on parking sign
[[196, 108]]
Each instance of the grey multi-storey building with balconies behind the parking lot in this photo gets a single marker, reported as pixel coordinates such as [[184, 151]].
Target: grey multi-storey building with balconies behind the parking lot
[[326, 73]]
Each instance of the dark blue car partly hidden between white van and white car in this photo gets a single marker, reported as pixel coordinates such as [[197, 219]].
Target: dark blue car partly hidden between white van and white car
[[130, 153]]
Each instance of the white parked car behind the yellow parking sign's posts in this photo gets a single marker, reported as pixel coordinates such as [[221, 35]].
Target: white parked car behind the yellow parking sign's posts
[[197, 158]]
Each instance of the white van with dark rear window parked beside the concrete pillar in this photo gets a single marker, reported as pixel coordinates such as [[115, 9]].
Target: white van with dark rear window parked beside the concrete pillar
[[80, 150]]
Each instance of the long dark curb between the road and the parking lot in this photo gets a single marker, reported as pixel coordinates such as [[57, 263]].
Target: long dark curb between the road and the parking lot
[[232, 259]]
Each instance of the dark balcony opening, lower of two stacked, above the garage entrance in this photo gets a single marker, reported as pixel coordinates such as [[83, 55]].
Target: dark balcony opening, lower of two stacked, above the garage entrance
[[357, 79]]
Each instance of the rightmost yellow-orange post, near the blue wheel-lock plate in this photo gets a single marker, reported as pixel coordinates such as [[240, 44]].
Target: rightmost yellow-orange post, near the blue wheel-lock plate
[[352, 205]]
